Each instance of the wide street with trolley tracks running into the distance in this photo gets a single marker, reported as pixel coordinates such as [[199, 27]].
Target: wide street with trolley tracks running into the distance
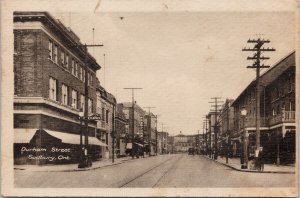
[[179, 170]]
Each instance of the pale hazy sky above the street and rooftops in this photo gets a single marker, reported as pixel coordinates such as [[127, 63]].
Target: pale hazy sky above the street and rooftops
[[180, 59]]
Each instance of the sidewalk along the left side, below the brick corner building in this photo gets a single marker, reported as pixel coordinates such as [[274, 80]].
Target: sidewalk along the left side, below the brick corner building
[[74, 167]]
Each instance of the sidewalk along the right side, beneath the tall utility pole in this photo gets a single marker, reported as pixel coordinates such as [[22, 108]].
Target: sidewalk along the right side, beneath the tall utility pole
[[235, 164]]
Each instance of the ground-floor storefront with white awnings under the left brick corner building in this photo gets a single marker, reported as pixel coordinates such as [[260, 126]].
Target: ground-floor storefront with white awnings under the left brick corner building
[[34, 146]]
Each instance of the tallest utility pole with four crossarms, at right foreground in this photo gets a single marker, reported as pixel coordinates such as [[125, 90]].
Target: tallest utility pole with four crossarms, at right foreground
[[257, 57]]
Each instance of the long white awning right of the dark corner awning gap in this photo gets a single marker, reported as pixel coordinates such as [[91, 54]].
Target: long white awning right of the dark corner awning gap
[[73, 138]]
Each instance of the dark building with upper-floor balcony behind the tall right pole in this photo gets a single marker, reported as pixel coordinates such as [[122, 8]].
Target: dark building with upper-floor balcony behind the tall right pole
[[277, 112]]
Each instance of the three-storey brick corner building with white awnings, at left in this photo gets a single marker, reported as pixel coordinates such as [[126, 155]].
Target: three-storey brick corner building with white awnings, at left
[[50, 64]]
